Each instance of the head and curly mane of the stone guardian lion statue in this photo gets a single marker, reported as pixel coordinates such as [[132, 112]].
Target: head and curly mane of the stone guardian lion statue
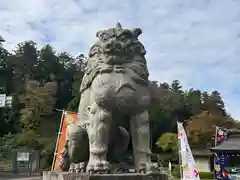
[[117, 50]]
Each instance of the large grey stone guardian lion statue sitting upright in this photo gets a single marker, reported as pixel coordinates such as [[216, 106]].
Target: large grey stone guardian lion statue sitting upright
[[115, 86]]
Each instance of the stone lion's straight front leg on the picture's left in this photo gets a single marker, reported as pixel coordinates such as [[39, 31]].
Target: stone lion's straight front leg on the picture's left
[[98, 133]]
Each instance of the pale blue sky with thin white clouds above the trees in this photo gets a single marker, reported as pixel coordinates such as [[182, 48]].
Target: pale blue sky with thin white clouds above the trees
[[194, 41]]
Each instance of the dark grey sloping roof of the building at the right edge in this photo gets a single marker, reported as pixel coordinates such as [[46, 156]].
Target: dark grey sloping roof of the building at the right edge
[[232, 144]]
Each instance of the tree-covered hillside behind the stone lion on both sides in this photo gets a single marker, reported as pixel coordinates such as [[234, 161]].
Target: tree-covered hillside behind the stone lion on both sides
[[42, 80]]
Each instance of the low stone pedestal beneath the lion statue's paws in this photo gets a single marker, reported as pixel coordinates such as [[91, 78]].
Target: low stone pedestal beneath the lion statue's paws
[[83, 176]]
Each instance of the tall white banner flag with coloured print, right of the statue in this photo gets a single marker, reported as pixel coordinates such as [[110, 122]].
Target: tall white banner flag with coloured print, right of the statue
[[188, 164]]
